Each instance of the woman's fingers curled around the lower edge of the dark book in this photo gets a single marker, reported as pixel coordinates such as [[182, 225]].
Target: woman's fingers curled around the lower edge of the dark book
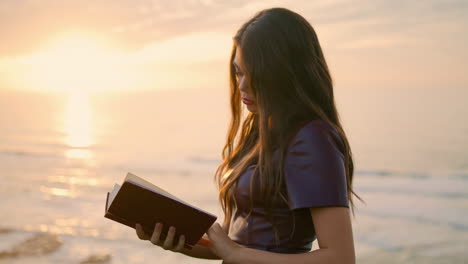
[[168, 244]]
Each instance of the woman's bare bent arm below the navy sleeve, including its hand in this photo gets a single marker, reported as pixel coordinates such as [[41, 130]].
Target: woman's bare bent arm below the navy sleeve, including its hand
[[334, 235]]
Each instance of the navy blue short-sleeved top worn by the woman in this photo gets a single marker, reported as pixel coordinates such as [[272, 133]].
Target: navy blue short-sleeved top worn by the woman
[[315, 176]]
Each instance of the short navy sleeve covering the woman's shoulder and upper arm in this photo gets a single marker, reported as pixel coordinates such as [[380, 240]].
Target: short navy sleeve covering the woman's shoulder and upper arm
[[315, 173]]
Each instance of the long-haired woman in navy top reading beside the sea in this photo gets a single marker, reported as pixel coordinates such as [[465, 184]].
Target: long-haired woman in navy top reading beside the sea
[[288, 178]]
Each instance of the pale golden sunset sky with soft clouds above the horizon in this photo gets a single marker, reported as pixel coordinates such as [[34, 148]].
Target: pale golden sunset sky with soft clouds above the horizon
[[113, 45]]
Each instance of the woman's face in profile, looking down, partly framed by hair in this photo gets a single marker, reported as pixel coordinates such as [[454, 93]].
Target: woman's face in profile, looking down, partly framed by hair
[[247, 96]]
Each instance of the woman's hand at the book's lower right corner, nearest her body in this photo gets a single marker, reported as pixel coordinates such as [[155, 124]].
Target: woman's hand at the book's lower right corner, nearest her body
[[222, 245]]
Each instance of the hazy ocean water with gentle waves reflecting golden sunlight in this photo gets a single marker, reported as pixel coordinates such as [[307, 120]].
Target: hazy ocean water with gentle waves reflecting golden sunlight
[[60, 154]]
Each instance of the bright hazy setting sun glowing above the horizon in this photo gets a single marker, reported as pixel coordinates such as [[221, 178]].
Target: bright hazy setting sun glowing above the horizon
[[78, 63]]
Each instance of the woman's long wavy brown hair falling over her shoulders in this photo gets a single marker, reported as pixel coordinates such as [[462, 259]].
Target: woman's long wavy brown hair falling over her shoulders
[[291, 82]]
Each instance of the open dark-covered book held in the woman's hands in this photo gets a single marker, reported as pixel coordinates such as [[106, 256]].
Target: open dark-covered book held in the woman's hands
[[139, 201]]
